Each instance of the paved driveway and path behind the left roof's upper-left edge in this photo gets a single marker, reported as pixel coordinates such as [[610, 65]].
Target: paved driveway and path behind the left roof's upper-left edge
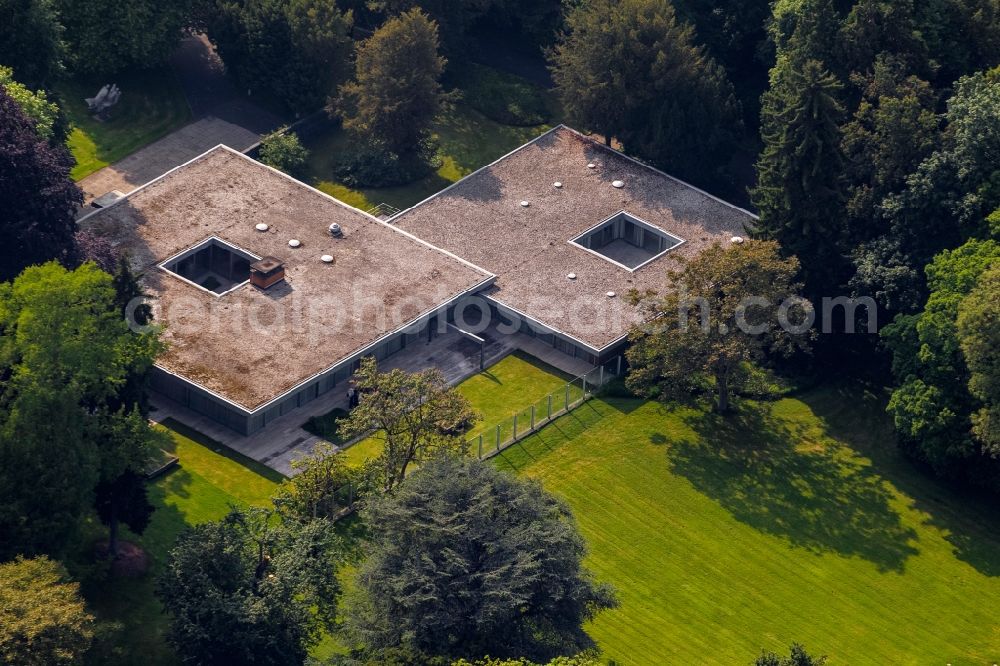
[[221, 116]]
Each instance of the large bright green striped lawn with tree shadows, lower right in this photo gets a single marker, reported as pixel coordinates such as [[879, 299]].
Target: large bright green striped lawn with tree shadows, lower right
[[792, 521]]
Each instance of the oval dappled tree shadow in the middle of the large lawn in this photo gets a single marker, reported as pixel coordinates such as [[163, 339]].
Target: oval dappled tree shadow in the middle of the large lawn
[[781, 481]]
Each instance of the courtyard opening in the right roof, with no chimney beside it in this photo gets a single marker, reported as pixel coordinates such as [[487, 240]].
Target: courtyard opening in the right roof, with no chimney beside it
[[627, 241]]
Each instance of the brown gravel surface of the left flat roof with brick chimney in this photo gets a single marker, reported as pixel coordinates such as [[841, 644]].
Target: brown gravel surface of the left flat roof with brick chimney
[[251, 346]]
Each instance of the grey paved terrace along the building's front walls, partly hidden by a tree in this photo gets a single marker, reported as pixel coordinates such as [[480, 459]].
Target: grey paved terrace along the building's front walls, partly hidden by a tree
[[283, 439]]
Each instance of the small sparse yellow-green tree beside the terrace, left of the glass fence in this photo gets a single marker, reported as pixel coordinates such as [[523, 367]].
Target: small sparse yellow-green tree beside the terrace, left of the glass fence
[[414, 415]]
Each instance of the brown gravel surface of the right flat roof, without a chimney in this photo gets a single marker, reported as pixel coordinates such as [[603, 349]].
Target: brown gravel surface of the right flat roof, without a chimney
[[481, 218]]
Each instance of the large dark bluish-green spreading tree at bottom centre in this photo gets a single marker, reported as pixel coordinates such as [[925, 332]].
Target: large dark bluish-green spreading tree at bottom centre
[[466, 560]]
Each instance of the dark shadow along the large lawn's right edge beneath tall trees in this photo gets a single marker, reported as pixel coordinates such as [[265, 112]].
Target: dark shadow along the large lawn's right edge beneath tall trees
[[969, 521]]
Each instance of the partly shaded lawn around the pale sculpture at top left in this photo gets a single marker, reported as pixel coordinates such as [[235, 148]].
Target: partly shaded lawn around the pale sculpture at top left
[[152, 105]]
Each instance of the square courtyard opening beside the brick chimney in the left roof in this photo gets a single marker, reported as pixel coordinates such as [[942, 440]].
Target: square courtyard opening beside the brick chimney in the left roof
[[213, 265]]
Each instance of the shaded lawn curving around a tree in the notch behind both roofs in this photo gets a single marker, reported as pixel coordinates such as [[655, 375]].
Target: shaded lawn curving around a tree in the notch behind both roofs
[[468, 140]]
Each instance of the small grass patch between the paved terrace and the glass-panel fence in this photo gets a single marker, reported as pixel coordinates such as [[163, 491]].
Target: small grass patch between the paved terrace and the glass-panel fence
[[514, 383]]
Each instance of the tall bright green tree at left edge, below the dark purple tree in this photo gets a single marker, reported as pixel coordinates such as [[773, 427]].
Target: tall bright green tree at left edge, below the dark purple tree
[[65, 350]]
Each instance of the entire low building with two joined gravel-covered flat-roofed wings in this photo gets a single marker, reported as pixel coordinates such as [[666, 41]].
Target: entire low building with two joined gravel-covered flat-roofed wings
[[270, 291]]
